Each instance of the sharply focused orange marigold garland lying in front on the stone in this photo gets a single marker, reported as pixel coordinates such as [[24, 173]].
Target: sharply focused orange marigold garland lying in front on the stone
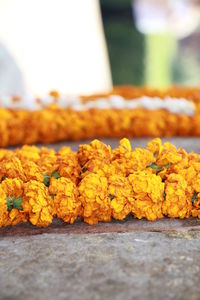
[[97, 183]]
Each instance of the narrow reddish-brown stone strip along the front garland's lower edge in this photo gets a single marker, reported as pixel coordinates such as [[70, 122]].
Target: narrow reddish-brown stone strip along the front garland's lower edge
[[128, 225]]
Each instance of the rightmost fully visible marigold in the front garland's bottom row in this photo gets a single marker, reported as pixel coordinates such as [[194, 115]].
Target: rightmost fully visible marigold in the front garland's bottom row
[[178, 195]]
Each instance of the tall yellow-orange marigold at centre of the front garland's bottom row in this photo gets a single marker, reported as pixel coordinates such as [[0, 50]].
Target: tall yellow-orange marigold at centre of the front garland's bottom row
[[93, 191]]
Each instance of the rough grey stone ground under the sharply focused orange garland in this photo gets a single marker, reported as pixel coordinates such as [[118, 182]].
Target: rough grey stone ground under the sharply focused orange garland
[[121, 260]]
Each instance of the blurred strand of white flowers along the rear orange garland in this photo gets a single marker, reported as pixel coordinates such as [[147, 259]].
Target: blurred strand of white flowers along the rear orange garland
[[173, 105]]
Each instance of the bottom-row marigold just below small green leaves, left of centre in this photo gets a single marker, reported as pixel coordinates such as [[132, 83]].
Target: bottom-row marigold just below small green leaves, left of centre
[[66, 202]]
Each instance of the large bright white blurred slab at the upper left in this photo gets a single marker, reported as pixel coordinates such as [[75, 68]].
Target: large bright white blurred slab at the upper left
[[57, 44]]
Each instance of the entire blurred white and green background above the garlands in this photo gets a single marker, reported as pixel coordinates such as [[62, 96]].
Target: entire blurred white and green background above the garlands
[[85, 46]]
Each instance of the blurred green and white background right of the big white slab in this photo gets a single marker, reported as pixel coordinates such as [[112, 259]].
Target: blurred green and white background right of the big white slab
[[153, 42]]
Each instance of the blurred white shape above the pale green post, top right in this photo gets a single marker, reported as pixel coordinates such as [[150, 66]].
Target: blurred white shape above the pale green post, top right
[[179, 17]]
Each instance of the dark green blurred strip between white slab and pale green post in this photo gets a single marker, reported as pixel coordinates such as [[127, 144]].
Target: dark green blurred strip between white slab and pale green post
[[125, 44]]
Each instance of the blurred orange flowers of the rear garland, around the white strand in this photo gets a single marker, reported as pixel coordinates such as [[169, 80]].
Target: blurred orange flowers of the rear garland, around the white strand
[[53, 123]]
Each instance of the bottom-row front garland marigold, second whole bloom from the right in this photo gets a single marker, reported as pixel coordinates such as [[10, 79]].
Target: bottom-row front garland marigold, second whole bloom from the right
[[148, 194]]
